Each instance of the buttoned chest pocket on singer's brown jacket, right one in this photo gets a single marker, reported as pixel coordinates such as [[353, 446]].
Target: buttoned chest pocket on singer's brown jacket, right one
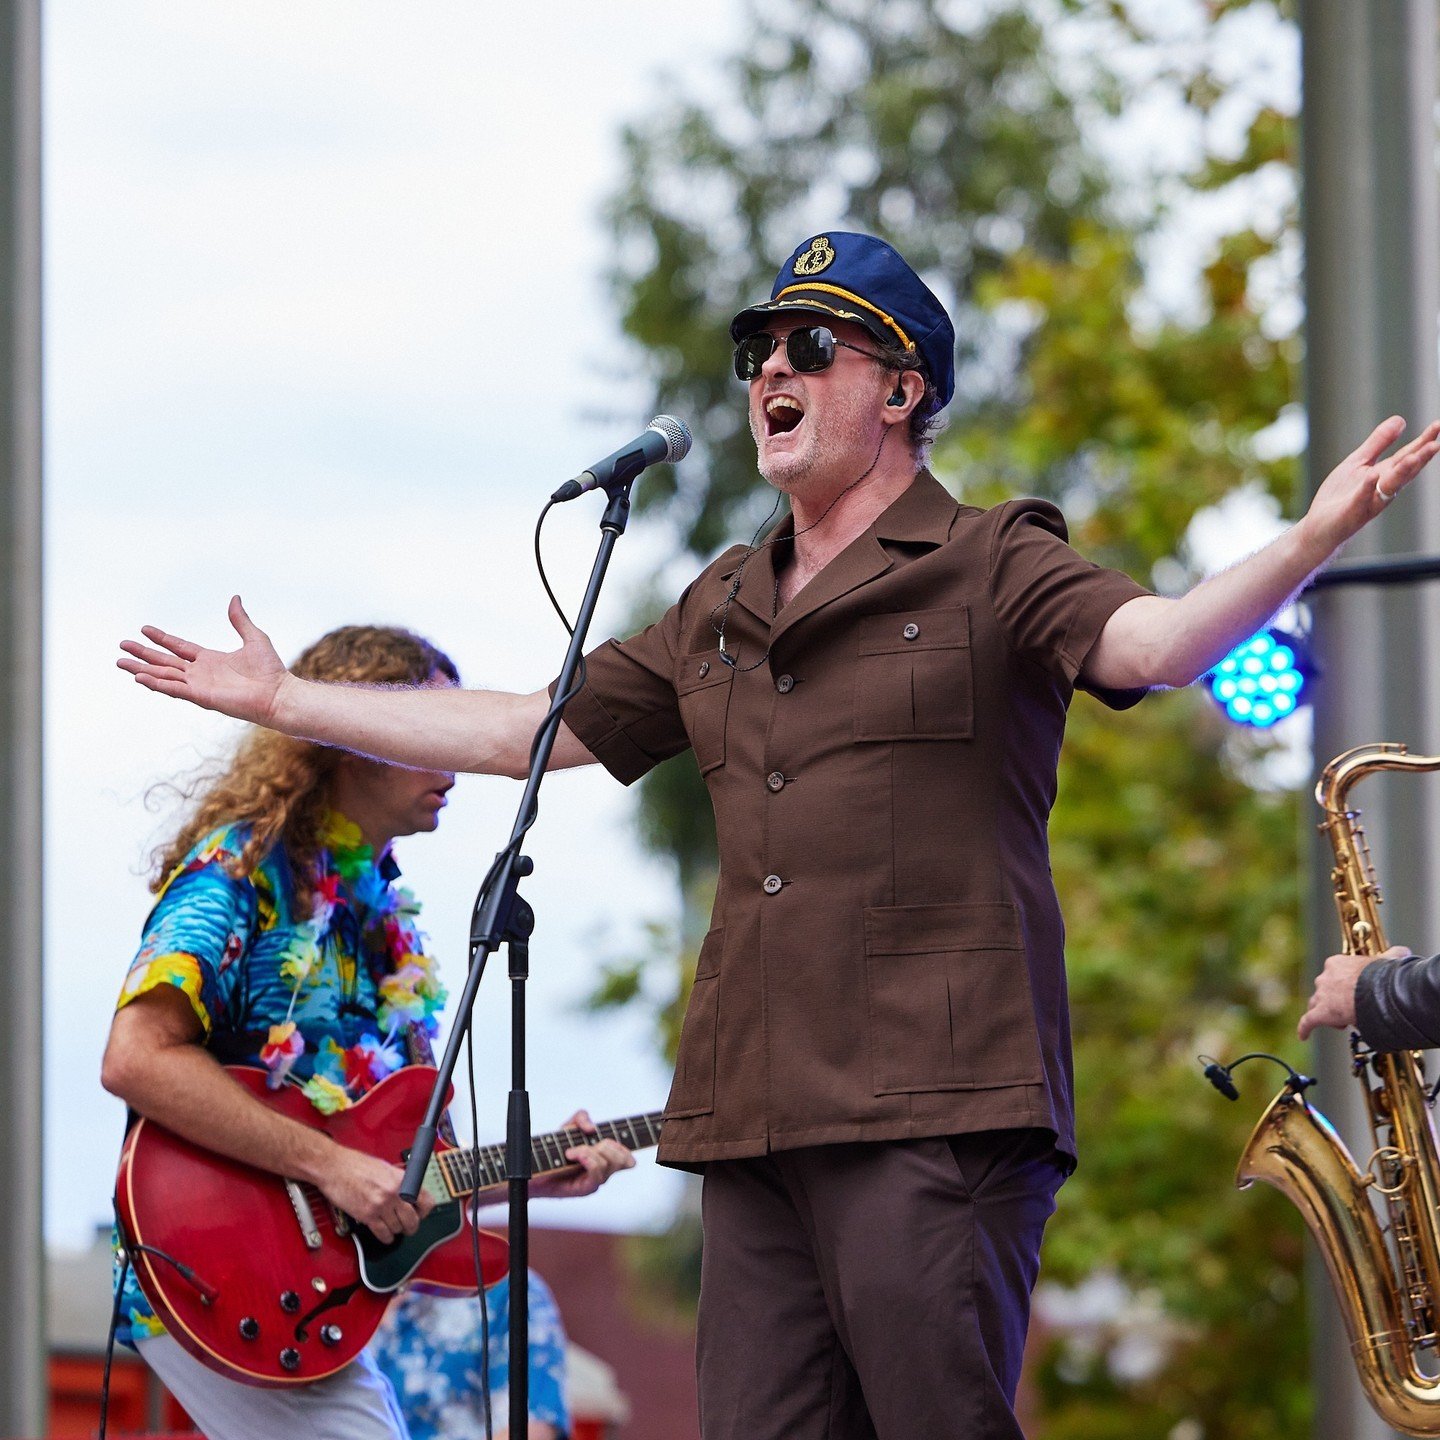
[[914, 676]]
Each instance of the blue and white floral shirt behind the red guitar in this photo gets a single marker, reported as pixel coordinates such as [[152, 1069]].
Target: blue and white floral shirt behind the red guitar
[[430, 1350]]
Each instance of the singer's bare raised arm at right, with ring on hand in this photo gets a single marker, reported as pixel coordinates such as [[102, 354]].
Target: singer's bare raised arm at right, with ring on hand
[[1154, 642]]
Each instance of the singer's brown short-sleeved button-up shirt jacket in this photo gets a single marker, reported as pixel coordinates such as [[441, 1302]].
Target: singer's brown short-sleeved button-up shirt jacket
[[886, 951]]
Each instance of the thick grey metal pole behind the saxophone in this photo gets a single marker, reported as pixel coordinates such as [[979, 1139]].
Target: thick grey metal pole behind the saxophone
[[1373, 243]]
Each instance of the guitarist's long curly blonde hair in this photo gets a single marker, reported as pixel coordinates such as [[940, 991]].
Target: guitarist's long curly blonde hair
[[280, 787]]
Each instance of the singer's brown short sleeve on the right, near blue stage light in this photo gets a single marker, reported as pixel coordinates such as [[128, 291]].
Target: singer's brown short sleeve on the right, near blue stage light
[[1052, 603]]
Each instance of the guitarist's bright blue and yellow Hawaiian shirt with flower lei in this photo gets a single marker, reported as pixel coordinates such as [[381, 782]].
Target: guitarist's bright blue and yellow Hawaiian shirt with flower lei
[[338, 986]]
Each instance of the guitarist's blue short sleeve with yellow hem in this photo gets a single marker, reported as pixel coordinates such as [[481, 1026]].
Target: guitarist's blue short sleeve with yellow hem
[[201, 924]]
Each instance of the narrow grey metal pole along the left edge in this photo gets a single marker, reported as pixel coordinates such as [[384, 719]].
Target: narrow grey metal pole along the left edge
[[22, 1256]]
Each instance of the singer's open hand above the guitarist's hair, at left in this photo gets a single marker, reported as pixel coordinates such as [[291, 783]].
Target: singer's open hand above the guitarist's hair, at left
[[243, 683]]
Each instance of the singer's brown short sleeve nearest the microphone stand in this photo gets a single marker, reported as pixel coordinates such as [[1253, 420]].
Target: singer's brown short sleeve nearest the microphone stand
[[627, 714]]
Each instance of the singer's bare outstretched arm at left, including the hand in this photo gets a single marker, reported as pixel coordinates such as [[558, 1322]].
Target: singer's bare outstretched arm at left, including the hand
[[485, 732]]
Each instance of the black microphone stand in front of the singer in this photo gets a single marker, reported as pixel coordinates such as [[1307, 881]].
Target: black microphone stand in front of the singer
[[502, 917]]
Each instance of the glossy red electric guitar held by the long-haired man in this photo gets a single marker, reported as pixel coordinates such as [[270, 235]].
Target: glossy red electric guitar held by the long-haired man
[[263, 1279]]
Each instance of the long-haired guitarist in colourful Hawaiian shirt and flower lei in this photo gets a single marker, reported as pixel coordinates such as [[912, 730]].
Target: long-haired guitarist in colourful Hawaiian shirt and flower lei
[[280, 938]]
